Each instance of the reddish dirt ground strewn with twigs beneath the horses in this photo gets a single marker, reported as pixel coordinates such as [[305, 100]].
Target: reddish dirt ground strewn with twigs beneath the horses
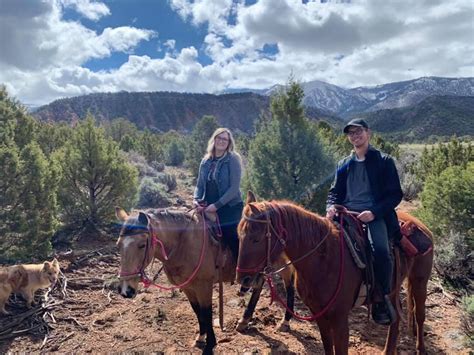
[[94, 318]]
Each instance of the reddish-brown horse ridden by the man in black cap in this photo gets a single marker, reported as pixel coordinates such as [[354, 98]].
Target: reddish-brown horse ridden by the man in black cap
[[329, 290]]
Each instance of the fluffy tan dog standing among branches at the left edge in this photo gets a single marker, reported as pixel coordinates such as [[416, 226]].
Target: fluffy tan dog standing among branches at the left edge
[[26, 280]]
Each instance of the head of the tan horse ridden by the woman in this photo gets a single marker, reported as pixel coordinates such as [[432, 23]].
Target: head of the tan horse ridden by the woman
[[135, 246]]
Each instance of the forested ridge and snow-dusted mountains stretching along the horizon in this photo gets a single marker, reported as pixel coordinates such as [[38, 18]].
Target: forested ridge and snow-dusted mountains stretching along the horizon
[[407, 110]]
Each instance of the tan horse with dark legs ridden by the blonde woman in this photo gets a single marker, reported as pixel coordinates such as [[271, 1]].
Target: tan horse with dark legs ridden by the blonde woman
[[189, 256]]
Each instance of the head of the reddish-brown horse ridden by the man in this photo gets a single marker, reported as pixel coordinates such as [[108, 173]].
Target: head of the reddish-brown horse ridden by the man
[[260, 241]]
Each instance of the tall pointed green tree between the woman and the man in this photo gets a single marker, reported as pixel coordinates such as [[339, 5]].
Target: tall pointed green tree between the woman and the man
[[286, 157]]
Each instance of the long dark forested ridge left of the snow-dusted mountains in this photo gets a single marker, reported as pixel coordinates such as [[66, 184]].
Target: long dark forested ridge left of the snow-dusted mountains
[[161, 111]]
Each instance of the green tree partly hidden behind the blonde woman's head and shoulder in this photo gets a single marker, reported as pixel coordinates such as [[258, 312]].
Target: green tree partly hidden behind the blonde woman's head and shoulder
[[200, 135]]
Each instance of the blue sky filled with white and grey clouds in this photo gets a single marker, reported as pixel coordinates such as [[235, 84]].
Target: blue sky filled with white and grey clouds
[[51, 49]]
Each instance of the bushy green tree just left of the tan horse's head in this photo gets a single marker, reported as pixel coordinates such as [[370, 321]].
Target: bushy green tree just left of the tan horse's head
[[95, 178]]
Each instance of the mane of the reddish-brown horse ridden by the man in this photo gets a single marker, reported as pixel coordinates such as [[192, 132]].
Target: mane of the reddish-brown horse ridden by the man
[[298, 221]]
